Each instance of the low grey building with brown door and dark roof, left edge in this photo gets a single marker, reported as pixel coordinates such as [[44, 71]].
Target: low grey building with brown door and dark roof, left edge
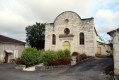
[[10, 48]]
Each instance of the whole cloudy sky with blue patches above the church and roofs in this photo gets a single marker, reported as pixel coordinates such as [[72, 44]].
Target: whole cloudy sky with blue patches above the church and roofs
[[15, 15]]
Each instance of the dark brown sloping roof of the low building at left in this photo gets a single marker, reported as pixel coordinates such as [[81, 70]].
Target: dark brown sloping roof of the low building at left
[[10, 40]]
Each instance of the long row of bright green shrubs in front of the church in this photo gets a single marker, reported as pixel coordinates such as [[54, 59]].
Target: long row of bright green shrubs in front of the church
[[32, 56]]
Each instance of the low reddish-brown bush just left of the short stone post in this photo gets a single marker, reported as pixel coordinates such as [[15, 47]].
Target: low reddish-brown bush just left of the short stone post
[[61, 61]]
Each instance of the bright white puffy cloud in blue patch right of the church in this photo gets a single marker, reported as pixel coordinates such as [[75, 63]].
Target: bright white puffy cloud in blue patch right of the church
[[110, 20]]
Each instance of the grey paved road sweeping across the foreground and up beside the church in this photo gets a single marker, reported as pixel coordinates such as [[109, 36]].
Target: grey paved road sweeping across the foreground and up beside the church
[[90, 70]]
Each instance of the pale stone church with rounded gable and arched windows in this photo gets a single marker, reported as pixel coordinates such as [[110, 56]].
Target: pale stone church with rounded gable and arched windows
[[69, 31]]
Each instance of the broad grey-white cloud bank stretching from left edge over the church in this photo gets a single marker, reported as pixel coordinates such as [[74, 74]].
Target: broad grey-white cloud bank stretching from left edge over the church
[[15, 15]]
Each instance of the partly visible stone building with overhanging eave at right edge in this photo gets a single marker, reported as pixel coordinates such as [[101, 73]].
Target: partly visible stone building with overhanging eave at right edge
[[115, 35]]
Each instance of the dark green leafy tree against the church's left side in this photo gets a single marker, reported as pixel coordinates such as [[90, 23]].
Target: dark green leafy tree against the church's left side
[[35, 35]]
